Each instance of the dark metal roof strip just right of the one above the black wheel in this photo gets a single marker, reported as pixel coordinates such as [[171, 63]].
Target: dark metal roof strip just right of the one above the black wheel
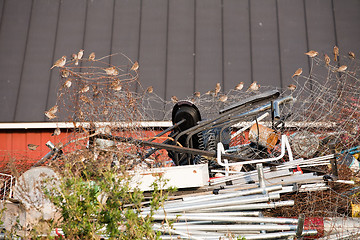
[[208, 51]]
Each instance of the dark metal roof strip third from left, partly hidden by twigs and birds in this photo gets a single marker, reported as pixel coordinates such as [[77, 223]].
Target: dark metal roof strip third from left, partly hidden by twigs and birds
[[69, 40]]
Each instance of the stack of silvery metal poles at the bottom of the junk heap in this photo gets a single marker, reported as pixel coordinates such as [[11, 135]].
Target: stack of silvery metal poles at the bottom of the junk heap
[[230, 214]]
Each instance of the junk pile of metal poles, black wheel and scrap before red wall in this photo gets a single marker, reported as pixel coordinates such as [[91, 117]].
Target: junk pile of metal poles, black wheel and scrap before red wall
[[225, 185]]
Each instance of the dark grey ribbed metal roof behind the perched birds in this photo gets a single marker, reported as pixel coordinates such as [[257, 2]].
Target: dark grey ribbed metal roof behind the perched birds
[[182, 46]]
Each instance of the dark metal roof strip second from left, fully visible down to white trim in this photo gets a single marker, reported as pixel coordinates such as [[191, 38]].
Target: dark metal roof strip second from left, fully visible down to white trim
[[34, 85]]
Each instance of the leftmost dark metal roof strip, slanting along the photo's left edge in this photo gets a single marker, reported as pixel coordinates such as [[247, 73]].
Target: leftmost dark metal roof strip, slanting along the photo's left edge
[[12, 48]]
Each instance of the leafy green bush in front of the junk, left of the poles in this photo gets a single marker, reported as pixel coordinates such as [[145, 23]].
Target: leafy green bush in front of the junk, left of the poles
[[97, 202]]
